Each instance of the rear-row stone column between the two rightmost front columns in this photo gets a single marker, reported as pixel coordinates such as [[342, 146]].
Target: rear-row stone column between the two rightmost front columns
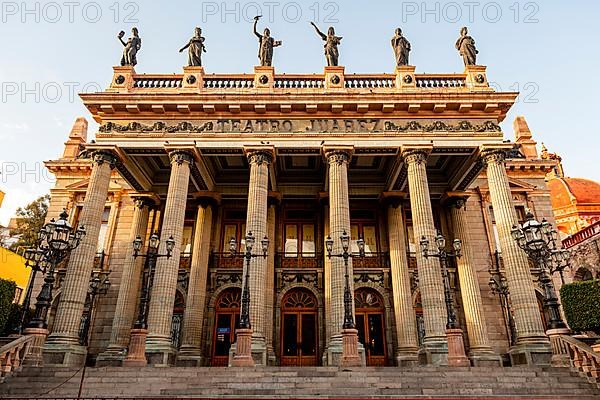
[[481, 352]]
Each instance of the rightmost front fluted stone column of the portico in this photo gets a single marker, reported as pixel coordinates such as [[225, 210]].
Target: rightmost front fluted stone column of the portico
[[532, 345]]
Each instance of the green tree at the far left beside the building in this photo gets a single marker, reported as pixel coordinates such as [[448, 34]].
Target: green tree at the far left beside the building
[[29, 222]]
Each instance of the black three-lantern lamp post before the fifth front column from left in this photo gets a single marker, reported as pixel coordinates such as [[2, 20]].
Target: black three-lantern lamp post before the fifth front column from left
[[443, 255]]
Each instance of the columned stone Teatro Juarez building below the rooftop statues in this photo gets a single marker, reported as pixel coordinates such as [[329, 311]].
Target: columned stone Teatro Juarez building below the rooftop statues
[[388, 158]]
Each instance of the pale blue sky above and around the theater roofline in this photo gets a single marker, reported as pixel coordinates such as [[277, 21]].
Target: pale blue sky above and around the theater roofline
[[52, 50]]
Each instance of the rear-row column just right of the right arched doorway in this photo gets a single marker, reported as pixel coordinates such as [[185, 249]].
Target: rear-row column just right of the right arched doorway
[[406, 323]]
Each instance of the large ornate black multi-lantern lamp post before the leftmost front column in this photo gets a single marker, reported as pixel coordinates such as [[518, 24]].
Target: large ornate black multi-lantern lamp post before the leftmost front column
[[56, 240]]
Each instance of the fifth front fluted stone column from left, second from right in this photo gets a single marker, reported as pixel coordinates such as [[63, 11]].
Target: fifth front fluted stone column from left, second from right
[[435, 346]]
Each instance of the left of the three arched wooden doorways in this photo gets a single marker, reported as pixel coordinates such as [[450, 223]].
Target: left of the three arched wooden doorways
[[227, 317]]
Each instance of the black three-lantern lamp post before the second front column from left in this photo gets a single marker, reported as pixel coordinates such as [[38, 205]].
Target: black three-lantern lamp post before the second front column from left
[[151, 257]]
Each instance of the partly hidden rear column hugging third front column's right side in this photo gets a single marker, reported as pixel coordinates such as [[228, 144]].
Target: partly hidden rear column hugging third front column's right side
[[270, 280]]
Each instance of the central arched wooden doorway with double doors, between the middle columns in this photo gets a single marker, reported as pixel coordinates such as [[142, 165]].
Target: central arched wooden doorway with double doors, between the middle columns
[[299, 341]]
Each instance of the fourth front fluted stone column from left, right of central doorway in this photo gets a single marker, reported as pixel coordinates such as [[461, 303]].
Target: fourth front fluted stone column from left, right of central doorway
[[338, 159]]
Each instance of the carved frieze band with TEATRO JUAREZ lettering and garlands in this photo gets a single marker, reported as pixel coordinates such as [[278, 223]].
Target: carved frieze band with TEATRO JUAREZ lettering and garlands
[[302, 126]]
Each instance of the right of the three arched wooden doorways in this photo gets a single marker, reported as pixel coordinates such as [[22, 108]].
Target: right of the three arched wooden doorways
[[370, 323]]
